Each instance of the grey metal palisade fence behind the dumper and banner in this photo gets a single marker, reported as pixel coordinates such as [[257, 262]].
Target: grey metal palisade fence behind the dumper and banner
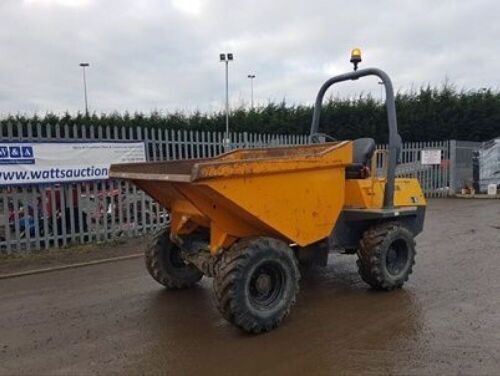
[[37, 217]]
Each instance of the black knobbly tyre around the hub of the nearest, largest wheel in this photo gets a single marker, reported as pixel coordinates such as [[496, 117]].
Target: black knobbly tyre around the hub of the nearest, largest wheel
[[231, 263]]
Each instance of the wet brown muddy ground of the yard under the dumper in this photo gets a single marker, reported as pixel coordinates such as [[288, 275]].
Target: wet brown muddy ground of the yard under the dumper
[[114, 319]]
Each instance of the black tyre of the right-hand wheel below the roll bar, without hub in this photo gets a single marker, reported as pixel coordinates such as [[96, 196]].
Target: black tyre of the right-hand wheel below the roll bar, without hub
[[370, 255]]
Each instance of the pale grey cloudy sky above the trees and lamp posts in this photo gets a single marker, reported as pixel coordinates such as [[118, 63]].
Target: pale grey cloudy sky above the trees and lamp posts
[[163, 54]]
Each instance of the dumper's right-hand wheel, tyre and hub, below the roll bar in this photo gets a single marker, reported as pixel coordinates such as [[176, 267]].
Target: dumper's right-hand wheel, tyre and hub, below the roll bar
[[387, 255]]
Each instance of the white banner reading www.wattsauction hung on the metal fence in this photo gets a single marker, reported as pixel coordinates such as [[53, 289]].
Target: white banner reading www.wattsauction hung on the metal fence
[[32, 163]]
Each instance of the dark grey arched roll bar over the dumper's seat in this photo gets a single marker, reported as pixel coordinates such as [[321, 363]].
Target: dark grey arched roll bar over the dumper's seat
[[394, 137]]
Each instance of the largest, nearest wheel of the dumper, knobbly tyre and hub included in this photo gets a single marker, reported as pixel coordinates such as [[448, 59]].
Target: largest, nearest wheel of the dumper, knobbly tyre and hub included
[[256, 283]]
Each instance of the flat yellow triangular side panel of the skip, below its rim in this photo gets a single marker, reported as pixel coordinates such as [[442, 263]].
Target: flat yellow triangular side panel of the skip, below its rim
[[302, 206]]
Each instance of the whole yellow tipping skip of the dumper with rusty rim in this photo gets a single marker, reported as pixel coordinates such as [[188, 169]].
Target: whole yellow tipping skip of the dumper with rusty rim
[[295, 193]]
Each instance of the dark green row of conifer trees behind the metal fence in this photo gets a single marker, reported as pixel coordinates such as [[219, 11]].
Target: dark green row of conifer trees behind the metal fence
[[426, 114]]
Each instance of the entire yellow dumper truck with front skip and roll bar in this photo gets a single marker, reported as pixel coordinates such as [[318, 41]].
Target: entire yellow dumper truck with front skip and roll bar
[[247, 218]]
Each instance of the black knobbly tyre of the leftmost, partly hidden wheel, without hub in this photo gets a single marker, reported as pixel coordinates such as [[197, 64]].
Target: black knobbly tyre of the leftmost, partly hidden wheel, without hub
[[159, 270]]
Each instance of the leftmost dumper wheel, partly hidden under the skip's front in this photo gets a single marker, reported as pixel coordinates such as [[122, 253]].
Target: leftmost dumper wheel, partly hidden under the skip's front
[[165, 264]]
